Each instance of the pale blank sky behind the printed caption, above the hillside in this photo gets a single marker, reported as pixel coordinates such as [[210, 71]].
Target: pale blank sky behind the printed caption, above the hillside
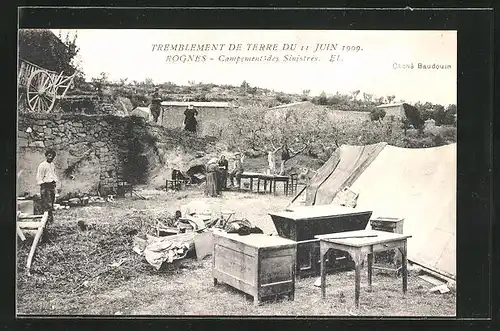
[[377, 62]]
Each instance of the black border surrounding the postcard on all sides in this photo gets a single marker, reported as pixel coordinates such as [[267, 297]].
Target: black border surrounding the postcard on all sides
[[475, 140]]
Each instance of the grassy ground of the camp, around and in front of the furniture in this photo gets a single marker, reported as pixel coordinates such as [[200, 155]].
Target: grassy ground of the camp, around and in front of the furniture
[[72, 272]]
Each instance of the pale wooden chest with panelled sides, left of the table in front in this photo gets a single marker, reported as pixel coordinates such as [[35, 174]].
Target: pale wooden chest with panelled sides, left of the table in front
[[257, 264]]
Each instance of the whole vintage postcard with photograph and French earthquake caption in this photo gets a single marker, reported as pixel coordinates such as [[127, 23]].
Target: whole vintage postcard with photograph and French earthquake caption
[[166, 172]]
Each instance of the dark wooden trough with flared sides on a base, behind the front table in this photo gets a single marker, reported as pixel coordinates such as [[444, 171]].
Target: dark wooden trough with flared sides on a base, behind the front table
[[301, 224]]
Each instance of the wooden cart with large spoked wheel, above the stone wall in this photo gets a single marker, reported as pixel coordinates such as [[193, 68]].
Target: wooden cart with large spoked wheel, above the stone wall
[[42, 87]]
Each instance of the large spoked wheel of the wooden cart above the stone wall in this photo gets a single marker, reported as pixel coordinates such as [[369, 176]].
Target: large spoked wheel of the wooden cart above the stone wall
[[41, 92]]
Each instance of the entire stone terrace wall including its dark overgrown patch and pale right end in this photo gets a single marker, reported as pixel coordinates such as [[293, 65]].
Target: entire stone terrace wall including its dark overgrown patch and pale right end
[[95, 151]]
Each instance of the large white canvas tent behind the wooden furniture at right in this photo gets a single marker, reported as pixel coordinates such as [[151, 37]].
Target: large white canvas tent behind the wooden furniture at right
[[417, 184]]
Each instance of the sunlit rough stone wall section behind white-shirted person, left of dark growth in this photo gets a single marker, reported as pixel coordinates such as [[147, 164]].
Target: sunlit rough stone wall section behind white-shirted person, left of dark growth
[[96, 144]]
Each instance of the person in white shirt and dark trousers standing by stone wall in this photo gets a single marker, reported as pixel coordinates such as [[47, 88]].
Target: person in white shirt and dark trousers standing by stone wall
[[46, 177]]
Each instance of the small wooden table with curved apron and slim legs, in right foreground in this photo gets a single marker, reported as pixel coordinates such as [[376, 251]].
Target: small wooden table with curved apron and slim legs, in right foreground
[[359, 244]]
